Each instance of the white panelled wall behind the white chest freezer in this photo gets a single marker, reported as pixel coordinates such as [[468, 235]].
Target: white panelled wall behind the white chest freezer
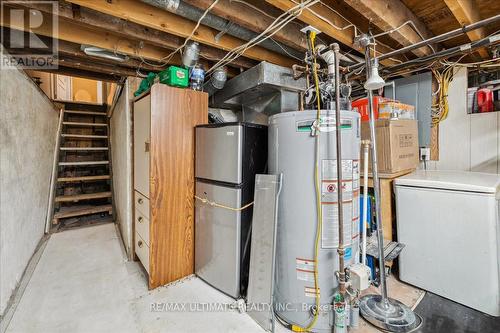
[[467, 142]]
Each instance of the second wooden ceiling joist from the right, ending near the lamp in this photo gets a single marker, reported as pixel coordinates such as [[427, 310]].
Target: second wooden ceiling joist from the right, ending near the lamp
[[391, 14]]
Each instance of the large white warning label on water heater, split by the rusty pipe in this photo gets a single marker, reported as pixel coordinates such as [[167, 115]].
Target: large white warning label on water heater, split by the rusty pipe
[[329, 198]]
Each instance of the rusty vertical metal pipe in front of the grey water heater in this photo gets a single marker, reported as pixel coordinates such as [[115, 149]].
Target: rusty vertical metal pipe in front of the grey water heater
[[340, 250]]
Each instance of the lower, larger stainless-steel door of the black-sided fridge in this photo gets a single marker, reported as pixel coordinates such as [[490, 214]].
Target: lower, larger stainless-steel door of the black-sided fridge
[[217, 238]]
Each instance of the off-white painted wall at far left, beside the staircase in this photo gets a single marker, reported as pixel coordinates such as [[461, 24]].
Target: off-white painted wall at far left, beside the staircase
[[28, 129]]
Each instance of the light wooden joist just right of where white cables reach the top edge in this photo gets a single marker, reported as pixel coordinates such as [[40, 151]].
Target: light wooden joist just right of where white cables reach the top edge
[[344, 36]]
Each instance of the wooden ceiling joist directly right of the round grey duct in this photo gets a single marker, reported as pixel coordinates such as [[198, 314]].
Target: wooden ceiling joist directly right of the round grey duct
[[254, 20]]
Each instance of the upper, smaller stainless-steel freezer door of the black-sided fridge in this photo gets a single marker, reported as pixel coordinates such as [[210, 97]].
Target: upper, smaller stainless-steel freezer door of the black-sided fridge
[[219, 153]]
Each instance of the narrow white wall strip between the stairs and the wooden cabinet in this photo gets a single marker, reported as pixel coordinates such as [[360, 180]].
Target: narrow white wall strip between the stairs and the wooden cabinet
[[121, 157]]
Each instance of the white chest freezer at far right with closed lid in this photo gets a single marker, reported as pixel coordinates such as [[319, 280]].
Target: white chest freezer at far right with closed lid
[[448, 221]]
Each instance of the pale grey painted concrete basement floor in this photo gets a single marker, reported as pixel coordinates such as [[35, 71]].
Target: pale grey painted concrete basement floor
[[83, 283]]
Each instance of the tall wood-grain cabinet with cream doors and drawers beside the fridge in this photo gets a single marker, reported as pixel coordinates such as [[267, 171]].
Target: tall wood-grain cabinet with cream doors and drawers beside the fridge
[[164, 121]]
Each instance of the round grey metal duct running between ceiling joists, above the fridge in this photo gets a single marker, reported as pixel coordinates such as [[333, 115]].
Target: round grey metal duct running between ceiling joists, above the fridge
[[193, 13]]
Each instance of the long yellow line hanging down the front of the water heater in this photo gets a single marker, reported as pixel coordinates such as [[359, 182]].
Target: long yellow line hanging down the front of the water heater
[[297, 328]]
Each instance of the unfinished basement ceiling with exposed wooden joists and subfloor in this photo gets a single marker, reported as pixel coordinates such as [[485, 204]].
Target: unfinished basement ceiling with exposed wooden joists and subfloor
[[147, 31]]
